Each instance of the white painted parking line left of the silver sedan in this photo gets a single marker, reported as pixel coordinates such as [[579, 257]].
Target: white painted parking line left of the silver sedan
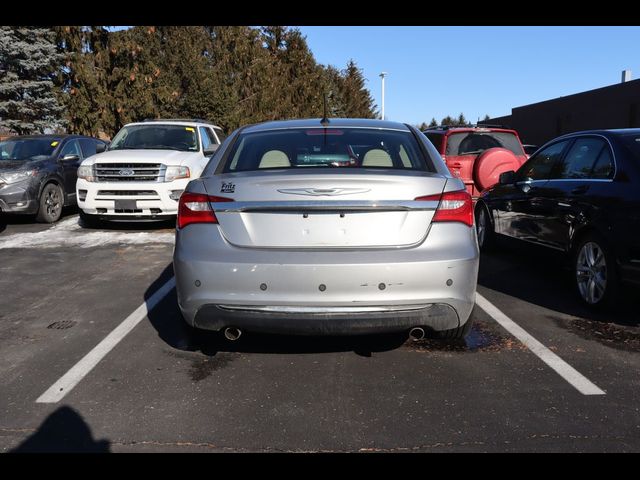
[[70, 379]]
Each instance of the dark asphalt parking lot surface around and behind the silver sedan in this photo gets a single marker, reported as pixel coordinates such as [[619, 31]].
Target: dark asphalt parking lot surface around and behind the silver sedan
[[163, 387]]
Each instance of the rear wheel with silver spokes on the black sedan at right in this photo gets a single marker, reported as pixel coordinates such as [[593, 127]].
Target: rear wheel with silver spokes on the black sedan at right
[[594, 272]]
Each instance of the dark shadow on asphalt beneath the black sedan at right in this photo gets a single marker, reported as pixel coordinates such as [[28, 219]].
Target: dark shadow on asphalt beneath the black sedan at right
[[543, 278]]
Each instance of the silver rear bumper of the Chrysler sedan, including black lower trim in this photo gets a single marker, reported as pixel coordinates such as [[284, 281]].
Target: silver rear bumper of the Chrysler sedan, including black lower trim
[[440, 275]]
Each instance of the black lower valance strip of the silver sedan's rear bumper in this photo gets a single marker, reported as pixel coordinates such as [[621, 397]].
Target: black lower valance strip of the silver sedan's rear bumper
[[434, 316]]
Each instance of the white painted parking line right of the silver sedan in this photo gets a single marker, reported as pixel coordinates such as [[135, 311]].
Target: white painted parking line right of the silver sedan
[[566, 371]]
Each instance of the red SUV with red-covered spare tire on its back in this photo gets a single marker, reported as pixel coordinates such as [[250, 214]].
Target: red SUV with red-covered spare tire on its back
[[478, 154]]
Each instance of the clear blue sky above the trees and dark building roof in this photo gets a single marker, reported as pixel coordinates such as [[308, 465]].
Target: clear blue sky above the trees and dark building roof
[[478, 71]]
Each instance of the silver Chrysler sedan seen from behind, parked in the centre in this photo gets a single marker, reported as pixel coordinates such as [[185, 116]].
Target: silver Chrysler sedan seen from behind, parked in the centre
[[340, 226]]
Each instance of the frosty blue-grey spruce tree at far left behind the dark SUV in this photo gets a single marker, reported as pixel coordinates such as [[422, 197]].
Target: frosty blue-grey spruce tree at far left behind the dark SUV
[[28, 65]]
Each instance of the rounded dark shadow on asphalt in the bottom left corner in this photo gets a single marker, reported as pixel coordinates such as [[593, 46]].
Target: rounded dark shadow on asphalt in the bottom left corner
[[64, 431]]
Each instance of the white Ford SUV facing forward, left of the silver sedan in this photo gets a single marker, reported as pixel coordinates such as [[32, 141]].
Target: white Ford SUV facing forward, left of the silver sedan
[[145, 170]]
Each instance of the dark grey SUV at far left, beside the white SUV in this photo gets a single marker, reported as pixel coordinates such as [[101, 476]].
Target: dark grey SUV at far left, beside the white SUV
[[38, 172]]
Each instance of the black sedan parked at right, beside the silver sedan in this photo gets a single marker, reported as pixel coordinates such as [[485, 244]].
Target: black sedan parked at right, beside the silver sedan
[[579, 194]]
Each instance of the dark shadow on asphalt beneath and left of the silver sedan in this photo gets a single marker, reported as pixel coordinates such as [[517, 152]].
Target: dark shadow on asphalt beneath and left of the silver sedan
[[173, 330]]
